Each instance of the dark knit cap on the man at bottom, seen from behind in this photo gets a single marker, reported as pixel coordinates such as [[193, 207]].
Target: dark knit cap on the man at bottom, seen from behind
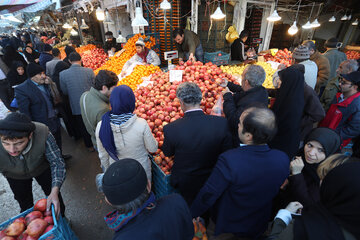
[[124, 181]]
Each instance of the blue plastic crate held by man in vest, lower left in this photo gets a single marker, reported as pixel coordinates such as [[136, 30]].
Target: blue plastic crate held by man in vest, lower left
[[60, 231]]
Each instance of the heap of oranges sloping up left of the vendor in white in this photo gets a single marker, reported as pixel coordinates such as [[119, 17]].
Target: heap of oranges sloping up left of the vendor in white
[[116, 63]]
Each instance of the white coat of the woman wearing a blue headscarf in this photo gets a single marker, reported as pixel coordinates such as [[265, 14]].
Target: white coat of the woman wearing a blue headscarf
[[133, 139]]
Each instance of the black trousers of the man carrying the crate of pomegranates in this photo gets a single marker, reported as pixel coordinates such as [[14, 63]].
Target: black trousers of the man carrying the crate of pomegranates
[[22, 190]]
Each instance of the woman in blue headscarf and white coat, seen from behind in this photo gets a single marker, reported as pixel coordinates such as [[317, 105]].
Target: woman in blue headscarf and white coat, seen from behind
[[121, 134]]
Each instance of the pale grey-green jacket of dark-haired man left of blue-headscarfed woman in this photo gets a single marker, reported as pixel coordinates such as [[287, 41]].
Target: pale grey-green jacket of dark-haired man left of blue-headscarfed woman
[[93, 106]]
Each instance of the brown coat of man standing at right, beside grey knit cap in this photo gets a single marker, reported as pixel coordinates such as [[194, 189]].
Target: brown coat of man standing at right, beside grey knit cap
[[323, 69]]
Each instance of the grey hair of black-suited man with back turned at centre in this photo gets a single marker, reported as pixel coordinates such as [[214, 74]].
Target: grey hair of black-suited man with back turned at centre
[[189, 93]]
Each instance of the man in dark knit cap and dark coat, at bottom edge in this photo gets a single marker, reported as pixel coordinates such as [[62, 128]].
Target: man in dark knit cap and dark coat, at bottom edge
[[138, 214]]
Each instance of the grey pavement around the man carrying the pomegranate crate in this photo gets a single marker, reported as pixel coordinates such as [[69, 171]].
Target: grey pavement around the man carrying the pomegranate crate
[[85, 207]]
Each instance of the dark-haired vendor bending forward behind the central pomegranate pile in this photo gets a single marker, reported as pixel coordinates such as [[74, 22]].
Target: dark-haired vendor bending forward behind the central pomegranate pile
[[188, 45]]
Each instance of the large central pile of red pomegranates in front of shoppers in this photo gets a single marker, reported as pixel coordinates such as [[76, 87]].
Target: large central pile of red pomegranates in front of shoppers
[[158, 105]]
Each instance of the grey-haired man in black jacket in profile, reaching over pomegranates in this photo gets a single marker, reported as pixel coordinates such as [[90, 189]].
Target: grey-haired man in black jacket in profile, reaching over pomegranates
[[250, 93]]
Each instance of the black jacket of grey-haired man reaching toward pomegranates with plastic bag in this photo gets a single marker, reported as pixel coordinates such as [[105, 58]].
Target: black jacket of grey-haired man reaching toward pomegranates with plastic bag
[[235, 104]]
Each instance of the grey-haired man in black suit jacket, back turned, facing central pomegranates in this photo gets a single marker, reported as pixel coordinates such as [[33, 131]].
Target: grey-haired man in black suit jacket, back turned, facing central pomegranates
[[196, 141]]
